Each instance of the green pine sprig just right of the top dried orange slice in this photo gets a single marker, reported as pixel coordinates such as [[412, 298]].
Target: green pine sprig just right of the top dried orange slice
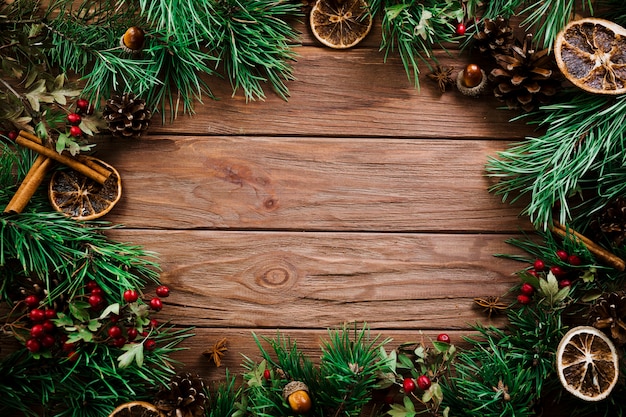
[[411, 28]]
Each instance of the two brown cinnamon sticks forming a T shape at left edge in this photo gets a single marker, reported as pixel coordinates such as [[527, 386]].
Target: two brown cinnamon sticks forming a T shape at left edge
[[37, 172]]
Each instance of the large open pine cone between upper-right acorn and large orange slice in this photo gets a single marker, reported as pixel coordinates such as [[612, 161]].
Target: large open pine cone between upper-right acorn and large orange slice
[[524, 77]]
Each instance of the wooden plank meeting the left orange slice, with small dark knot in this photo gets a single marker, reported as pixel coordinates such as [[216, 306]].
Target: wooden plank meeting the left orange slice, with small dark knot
[[308, 184]]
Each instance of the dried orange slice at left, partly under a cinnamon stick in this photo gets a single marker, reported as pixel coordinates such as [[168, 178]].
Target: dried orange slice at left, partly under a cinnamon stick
[[81, 198]]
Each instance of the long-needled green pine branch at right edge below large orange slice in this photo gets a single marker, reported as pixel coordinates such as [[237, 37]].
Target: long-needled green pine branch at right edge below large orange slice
[[583, 139]]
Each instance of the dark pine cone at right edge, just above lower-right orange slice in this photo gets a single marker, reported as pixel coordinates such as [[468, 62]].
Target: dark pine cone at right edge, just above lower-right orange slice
[[609, 312]]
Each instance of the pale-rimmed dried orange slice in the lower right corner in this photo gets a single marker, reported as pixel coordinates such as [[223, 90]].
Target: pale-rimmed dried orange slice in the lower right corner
[[587, 363]]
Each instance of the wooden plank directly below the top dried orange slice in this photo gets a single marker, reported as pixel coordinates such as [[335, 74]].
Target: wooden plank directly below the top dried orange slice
[[353, 93]]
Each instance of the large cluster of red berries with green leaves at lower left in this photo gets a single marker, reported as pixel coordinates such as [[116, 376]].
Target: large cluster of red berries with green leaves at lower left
[[61, 333]]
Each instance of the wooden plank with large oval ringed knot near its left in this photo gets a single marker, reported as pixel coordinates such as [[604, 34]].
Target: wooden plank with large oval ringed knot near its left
[[319, 280]]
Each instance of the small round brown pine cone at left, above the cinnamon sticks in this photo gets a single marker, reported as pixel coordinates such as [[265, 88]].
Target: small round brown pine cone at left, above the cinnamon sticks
[[126, 115]]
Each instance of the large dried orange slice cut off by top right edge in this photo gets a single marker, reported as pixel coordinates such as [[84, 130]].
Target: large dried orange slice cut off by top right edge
[[591, 53]]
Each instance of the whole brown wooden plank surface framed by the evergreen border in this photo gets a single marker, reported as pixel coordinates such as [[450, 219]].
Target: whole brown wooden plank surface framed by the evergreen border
[[359, 199]]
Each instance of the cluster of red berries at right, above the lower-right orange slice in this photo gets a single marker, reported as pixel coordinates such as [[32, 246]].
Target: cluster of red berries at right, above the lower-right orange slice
[[563, 271]]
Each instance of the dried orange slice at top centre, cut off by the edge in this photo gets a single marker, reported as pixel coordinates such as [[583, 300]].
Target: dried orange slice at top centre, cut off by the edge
[[340, 24]]
